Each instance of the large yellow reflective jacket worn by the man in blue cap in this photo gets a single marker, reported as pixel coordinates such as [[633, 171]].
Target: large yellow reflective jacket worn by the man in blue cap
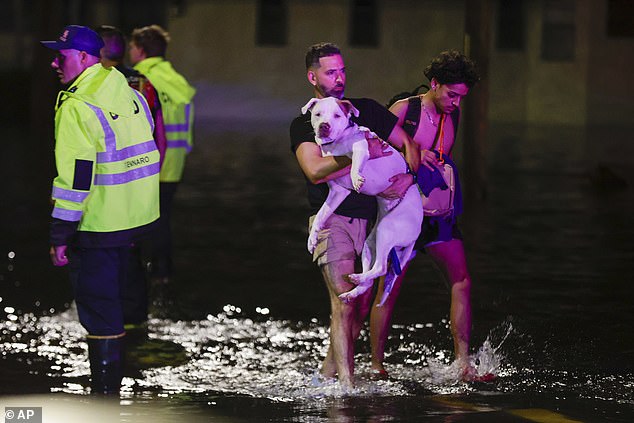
[[106, 158]]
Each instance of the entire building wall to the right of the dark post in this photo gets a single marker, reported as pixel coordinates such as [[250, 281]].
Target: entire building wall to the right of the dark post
[[594, 89]]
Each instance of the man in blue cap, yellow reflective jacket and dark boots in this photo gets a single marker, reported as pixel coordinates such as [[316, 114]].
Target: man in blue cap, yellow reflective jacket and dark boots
[[106, 193]]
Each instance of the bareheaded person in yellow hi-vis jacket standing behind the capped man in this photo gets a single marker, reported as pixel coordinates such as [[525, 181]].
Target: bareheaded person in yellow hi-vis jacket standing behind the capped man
[[147, 54]]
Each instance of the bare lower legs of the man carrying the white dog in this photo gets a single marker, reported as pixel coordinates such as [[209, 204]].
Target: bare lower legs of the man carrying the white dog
[[345, 322]]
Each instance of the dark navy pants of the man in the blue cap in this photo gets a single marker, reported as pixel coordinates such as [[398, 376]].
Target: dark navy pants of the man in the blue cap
[[97, 276]]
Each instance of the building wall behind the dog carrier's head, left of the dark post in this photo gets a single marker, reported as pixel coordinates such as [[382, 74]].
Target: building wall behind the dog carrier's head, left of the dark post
[[214, 45]]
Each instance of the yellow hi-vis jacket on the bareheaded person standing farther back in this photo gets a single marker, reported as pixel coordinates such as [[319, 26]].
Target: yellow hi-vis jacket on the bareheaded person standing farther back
[[177, 108]]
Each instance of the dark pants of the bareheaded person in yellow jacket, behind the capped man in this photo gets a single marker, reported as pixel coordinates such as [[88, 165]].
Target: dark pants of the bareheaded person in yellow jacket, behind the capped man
[[161, 255]]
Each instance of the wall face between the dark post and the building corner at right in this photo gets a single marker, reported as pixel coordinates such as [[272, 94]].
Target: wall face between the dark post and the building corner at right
[[526, 88]]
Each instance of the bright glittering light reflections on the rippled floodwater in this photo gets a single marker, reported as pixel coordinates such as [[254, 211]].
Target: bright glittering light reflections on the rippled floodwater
[[229, 353]]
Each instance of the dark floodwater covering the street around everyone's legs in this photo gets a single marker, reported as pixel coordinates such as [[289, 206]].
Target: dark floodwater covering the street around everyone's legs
[[550, 253]]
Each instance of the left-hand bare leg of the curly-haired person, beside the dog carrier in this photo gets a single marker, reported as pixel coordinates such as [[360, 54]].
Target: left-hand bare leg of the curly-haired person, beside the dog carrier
[[381, 320]]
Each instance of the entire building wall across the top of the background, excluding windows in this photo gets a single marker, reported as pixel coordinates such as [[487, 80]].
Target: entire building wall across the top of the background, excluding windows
[[214, 45]]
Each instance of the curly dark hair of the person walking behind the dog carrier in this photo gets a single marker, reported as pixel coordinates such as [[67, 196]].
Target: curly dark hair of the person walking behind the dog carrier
[[453, 67]]
